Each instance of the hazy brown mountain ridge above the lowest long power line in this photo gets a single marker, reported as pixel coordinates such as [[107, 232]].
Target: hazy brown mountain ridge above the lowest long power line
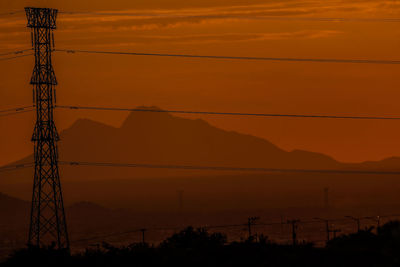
[[153, 137]]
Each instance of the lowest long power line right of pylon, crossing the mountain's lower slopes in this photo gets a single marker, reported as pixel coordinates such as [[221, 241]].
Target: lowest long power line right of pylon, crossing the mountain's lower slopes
[[220, 168]]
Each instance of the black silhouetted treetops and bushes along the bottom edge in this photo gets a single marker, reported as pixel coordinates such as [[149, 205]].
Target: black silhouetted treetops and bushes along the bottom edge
[[192, 247]]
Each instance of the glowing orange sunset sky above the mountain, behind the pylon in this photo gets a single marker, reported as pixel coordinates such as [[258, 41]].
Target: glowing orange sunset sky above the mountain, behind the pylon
[[215, 85]]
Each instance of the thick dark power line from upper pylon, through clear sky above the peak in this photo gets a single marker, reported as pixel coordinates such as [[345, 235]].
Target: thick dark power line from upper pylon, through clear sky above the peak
[[315, 60]]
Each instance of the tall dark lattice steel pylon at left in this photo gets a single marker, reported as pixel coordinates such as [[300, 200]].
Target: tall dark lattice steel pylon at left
[[48, 225]]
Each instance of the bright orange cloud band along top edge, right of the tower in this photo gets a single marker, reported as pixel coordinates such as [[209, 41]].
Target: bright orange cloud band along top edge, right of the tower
[[153, 19]]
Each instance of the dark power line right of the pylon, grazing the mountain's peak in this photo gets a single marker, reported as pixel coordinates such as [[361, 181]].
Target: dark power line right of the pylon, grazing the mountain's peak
[[317, 116]]
